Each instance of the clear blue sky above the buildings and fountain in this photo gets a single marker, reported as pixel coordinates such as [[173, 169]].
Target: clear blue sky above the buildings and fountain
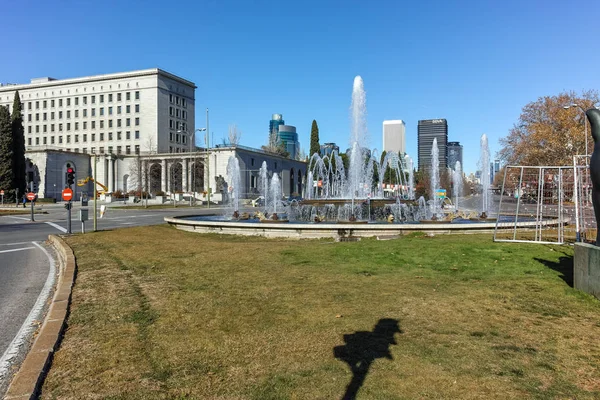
[[475, 63]]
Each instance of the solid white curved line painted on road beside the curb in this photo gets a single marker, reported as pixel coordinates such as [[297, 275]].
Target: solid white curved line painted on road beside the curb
[[28, 325]]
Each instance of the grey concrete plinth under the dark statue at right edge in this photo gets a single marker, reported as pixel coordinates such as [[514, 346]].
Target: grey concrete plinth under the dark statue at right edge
[[586, 274]]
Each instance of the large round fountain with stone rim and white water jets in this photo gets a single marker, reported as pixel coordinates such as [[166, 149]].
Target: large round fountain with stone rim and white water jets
[[370, 195]]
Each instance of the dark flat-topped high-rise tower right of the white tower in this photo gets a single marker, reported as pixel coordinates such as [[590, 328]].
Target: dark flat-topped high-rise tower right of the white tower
[[428, 130]]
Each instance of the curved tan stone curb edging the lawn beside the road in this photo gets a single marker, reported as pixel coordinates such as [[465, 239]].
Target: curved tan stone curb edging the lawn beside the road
[[28, 381]]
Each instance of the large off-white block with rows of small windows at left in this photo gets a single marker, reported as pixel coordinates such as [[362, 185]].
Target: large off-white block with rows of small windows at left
[[124, 113]]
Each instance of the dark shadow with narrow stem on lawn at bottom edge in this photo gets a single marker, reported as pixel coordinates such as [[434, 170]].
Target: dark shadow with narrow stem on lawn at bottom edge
[[362, 348]]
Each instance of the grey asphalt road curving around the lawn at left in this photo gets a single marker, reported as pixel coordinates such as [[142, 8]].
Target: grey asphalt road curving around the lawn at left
[[25, 266]]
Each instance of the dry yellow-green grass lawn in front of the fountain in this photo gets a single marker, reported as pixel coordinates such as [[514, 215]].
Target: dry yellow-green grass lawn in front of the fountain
[[159, 313]]
